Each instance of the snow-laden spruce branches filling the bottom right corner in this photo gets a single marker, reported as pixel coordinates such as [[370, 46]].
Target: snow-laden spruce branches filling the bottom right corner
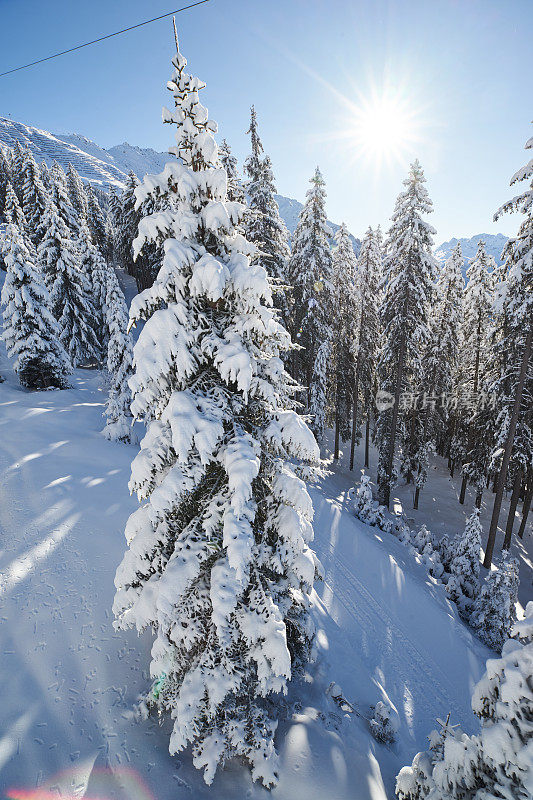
[[498, 761]]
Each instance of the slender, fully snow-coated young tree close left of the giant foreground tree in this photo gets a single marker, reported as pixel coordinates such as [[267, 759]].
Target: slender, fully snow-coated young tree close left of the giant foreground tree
[[119, 419]]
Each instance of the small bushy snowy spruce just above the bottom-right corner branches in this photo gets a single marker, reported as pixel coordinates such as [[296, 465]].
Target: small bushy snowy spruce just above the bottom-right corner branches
[[494, 611]]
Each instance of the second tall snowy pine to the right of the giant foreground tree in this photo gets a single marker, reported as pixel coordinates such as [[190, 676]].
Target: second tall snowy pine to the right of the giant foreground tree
[[309, 273]]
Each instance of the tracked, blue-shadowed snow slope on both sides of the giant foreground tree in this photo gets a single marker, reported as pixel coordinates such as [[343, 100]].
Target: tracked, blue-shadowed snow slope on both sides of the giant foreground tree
[[69, 681]]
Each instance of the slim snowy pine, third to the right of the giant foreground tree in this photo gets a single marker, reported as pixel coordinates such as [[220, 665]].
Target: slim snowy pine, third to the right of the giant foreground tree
[[345, 311]]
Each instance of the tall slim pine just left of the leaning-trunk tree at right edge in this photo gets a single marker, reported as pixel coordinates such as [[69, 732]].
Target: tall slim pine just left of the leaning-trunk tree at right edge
[[477, 314]]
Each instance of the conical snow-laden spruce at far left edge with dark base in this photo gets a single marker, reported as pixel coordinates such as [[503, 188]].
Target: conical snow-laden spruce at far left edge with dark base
[[30, 332]]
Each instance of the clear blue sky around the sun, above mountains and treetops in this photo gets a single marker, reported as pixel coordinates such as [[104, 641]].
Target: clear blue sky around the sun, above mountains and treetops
[[462, 69]]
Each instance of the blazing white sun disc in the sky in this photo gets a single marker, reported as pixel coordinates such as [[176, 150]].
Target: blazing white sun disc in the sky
[[384, 129]]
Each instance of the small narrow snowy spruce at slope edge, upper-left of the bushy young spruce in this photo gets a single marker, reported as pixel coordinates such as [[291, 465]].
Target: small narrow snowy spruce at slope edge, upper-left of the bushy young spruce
[[463, 583]]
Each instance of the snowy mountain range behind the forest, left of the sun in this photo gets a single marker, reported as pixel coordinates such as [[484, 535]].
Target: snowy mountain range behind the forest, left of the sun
[[108, 168]]
